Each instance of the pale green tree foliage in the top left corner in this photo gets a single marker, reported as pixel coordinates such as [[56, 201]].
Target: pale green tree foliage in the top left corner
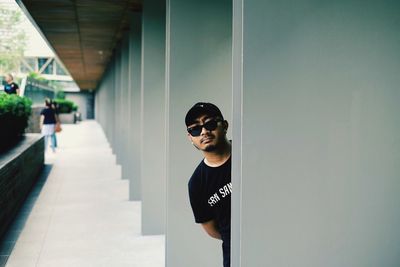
[[12, 38]]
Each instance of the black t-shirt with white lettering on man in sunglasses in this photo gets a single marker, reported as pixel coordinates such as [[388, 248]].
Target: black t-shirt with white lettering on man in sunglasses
[[210, 190]]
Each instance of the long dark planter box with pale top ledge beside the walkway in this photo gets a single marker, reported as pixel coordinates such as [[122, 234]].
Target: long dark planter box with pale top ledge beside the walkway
[[19, 169]]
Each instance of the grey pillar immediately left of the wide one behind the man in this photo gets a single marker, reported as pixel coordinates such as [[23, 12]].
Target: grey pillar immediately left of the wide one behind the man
[[153, 167]]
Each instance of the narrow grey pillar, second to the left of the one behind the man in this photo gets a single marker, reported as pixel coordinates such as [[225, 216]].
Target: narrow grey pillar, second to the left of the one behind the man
[[136, 106]]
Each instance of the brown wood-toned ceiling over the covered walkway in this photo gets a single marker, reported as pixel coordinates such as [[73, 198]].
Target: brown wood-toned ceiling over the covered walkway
[[83, 33]]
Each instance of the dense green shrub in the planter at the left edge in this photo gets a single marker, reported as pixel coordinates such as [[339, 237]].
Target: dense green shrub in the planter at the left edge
[[14, 116]]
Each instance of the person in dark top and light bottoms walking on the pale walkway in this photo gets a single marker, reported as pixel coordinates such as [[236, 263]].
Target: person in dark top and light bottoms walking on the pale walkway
[[48, 121]]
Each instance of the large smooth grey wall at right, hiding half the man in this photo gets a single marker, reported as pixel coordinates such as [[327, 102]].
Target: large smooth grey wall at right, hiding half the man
[[317, 183]]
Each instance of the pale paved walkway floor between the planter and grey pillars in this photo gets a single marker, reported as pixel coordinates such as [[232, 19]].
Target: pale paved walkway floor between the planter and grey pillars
[[81, 215]]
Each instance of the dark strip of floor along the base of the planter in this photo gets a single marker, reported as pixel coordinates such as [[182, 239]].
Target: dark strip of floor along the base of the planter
[[11, 236]]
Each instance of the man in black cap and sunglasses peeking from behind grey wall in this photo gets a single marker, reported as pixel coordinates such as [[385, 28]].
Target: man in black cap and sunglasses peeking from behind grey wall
[[210, 186]]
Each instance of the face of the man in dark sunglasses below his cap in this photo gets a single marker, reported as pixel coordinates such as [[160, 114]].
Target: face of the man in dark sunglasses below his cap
[[211, 133]]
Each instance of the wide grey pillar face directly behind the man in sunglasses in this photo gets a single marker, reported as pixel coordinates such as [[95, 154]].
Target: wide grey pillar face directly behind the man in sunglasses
[[199, 63]]
